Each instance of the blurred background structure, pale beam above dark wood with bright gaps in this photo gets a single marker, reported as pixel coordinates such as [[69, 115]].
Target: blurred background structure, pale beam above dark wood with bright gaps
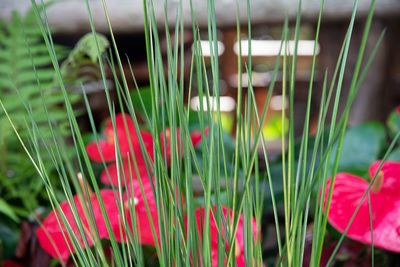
[[378, 95]]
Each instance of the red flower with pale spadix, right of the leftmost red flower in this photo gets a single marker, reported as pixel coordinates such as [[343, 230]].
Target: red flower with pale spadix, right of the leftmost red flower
[[135, 202]]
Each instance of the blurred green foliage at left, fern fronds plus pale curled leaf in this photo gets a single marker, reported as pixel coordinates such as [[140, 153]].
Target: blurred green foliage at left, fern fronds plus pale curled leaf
[[32, 97]]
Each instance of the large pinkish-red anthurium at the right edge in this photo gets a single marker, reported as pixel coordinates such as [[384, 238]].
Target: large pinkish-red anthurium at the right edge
[[384, 205]]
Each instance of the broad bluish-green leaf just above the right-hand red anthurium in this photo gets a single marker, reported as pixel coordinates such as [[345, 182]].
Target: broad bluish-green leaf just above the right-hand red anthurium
[[362, 146]]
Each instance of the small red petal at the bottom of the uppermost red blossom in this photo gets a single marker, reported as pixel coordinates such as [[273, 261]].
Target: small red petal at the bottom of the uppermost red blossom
[[127, 170]]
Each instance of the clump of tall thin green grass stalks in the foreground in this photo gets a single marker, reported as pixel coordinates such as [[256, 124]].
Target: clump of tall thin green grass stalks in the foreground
[[180, 243]]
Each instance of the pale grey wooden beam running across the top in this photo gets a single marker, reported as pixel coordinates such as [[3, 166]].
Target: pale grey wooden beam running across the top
[[69, 16]]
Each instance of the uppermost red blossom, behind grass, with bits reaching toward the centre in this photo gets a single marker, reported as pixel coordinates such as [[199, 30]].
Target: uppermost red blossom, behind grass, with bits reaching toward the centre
[[127, 138]]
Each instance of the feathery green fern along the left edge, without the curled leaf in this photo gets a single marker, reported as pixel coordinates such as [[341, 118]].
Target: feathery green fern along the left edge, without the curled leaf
[[28, 94]]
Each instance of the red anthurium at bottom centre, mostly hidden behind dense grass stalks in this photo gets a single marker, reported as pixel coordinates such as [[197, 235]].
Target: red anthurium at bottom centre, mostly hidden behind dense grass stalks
[[239, 245]]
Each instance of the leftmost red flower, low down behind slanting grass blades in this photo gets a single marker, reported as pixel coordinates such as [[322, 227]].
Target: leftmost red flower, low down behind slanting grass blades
[[53, 234]]
